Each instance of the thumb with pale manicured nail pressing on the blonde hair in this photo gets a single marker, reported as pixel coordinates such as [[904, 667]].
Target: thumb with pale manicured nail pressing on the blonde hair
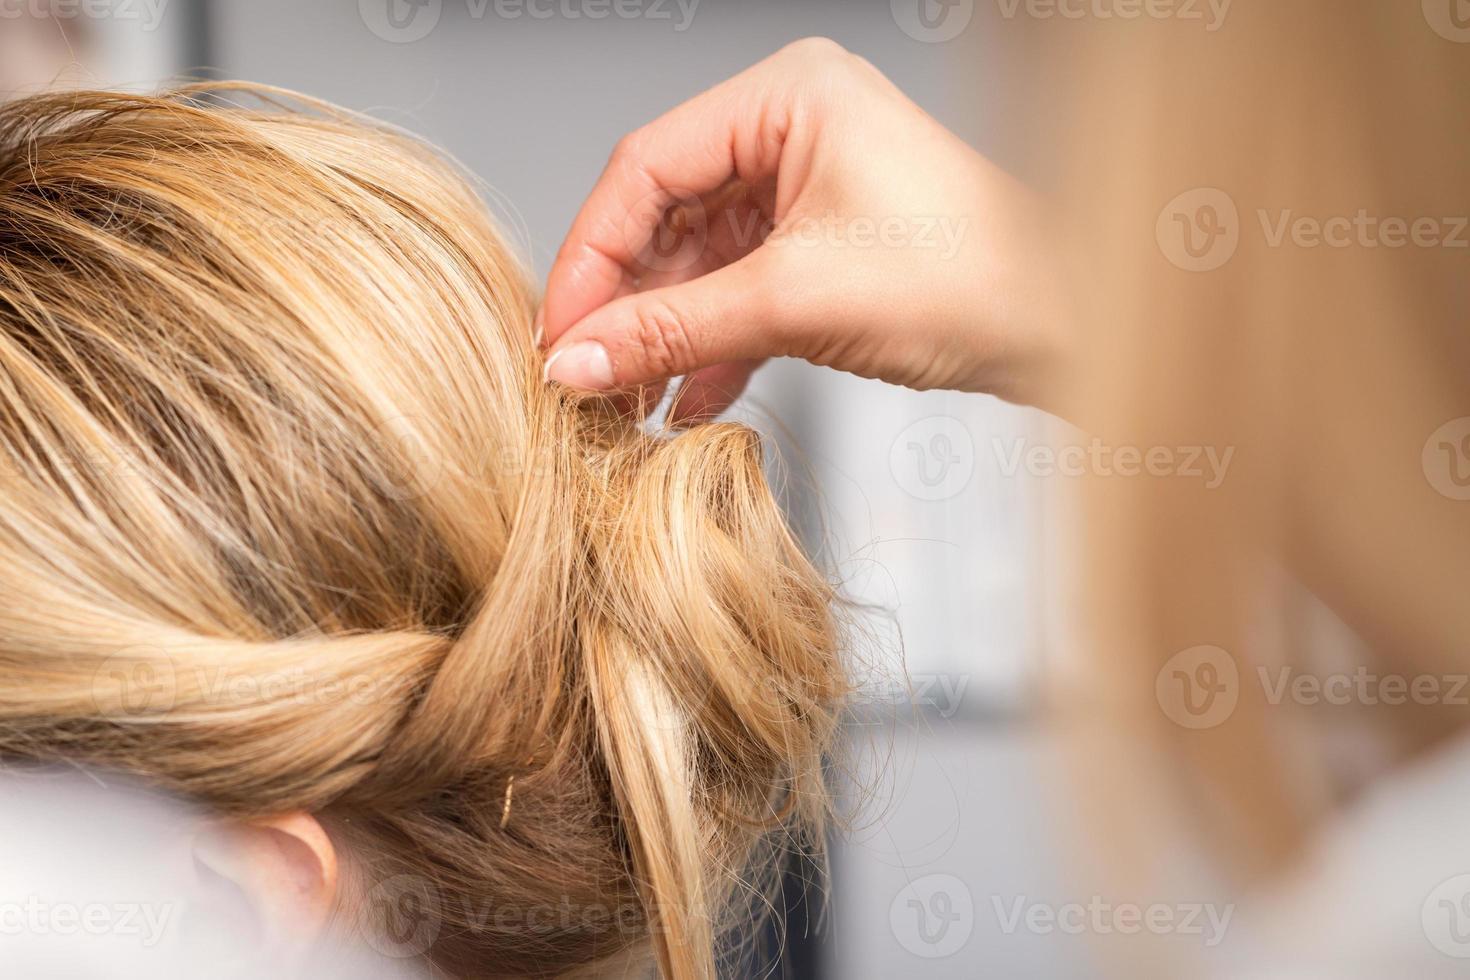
[[650, 337]]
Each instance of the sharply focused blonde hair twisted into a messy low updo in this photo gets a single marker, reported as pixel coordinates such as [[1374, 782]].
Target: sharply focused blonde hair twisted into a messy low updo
[[289, 522]]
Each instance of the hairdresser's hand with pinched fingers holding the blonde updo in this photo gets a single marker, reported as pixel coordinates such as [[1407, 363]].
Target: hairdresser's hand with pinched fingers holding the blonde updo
[[805, 208]]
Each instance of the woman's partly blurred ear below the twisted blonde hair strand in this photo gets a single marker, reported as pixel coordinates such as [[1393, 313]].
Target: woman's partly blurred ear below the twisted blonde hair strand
[[284, 869]]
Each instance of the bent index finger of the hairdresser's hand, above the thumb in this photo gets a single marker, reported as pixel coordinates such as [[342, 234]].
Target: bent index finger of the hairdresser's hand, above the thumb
[[730, 131]]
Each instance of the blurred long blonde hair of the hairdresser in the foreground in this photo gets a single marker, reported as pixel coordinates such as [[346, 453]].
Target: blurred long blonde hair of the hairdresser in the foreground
[[1327, 365]]
